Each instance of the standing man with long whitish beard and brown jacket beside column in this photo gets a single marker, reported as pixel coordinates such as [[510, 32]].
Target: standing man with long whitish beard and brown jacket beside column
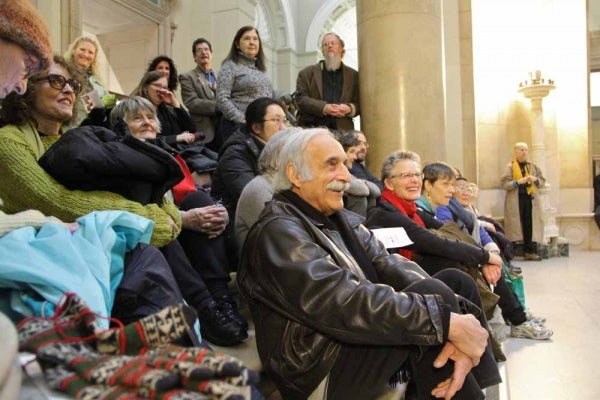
[[327, 93]]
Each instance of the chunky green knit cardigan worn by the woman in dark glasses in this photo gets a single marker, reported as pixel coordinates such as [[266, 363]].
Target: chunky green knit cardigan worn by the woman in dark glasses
[[25, 185]]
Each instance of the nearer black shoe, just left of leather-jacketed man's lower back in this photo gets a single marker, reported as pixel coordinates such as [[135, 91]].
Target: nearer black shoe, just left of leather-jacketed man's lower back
[[218, 328]]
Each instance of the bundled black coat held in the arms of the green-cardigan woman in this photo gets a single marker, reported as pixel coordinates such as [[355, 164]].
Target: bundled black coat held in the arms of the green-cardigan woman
[[95, 158]]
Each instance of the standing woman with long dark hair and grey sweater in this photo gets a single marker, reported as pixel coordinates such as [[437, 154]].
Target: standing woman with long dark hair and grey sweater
[[242, 79]]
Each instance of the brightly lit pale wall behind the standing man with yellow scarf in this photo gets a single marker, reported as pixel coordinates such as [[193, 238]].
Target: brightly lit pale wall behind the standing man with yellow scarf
[[508, 42]]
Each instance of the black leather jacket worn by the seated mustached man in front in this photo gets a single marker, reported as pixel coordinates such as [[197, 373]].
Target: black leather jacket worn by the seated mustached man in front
[[307, 296]]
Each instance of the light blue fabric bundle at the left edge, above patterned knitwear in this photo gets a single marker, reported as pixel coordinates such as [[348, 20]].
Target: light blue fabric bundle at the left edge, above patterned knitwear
[[46, 263]]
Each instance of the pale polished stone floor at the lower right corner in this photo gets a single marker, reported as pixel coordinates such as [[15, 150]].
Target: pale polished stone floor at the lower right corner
[[567, 292]]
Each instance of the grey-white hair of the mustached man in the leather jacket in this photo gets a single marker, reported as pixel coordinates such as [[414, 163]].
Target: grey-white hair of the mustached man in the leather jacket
[[294, 152]]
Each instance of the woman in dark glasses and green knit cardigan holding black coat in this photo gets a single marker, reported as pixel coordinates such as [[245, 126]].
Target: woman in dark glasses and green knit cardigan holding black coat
[[25, 135]]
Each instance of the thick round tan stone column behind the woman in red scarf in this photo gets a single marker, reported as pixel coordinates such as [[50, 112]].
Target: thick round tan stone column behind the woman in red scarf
[[401, 83]]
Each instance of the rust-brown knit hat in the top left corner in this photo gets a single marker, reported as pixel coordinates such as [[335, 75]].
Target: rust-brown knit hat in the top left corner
[[22, 24]]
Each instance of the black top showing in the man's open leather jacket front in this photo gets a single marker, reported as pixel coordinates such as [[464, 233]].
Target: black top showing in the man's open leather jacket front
[[335, 222]]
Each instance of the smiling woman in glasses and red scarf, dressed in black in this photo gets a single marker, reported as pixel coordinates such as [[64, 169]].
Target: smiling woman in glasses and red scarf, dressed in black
[[403, 180]]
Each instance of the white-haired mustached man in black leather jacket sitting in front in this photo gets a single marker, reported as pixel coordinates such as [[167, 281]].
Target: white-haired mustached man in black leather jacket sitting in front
[[337, 316]]
